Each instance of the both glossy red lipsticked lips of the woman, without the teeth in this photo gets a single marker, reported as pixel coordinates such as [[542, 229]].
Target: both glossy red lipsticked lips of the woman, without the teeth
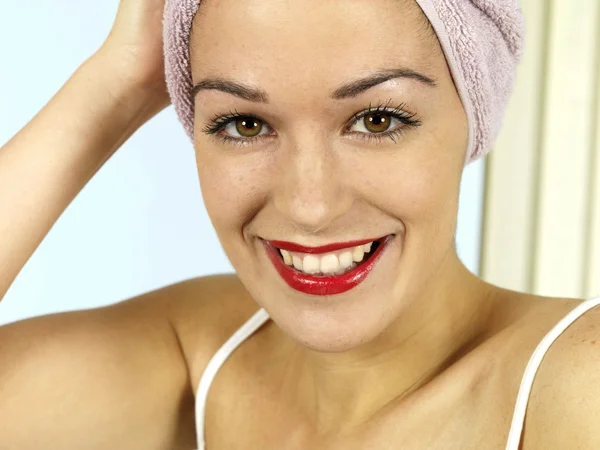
[[323, 285]]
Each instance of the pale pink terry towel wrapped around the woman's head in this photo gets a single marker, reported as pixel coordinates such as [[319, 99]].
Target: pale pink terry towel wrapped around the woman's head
[[481, 39]]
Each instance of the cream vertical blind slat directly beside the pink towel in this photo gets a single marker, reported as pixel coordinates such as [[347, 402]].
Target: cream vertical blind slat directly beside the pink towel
[[512, 166]]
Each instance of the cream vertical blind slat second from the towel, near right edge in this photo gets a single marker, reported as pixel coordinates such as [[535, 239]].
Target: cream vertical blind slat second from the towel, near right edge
[[566, 143]]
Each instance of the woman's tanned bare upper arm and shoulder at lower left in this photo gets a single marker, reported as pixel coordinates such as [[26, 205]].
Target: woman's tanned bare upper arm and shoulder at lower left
[[112, 377]]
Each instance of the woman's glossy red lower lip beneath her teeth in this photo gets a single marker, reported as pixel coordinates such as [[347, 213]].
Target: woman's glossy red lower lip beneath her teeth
[[331, 285]]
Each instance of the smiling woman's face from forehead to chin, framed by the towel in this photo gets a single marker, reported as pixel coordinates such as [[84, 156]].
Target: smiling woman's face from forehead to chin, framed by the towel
[[309, 168]]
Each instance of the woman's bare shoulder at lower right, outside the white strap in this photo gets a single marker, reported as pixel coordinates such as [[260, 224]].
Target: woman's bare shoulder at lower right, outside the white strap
[[564, 408]]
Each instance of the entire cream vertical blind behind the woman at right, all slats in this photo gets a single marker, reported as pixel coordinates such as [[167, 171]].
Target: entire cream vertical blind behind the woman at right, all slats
[[542, 216]]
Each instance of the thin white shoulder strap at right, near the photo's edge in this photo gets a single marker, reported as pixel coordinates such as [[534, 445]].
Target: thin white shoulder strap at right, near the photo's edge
[[516, 428]]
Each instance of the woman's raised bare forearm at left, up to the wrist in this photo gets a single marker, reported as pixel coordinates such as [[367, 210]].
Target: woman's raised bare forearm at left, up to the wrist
[[45, 166]]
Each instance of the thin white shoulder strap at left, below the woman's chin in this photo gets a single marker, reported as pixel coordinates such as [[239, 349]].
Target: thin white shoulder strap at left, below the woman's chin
[[249, 327]]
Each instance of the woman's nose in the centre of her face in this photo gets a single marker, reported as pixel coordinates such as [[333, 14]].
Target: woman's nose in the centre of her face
[[312, 190]]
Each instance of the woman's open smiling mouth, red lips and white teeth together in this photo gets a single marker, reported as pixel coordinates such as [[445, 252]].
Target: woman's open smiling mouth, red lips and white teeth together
[[325, 270]]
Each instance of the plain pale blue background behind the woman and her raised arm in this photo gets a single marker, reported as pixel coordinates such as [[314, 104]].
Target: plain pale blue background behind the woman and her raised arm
[[140, 223]]
